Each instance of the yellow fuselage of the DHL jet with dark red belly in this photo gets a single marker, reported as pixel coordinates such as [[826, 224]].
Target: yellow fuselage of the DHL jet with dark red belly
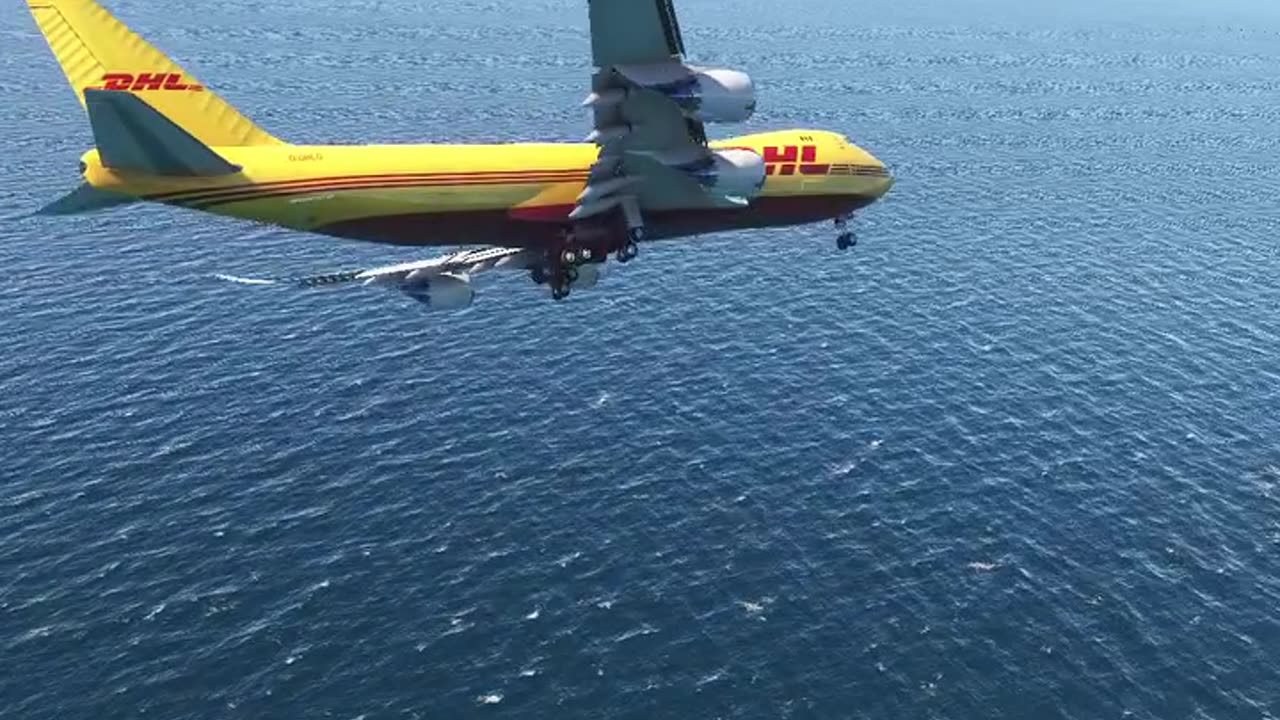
[[514, 195]]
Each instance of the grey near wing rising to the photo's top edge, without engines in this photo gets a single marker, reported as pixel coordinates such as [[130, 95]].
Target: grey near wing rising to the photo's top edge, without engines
[[651, 148]]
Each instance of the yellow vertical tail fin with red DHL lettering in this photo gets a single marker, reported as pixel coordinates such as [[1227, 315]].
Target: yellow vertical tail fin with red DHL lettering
[[98, 53]]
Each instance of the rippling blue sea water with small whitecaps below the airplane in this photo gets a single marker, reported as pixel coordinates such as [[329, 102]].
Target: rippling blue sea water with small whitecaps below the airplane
[[1017, 457]]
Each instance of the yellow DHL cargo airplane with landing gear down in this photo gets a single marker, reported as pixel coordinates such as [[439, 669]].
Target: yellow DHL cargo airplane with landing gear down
[[556, 212]]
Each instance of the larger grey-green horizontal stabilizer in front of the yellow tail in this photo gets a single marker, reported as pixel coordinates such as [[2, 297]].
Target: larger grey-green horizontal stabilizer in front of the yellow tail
[[135, 138]]
